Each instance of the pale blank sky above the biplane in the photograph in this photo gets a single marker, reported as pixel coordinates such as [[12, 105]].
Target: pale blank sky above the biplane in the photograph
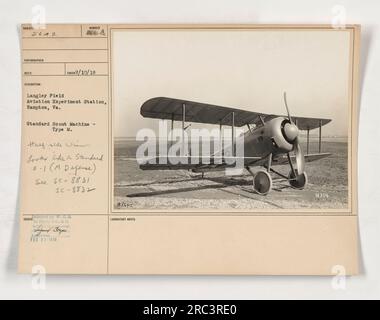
[[247, 69]]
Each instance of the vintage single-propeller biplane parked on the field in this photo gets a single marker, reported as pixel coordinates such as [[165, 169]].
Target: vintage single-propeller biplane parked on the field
[[268, 141]]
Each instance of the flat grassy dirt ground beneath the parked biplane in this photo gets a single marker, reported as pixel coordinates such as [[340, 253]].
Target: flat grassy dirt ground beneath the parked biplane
[[181, 189]]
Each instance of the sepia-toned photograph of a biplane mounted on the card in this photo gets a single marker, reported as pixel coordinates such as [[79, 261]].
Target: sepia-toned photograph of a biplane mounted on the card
[[231, 119]]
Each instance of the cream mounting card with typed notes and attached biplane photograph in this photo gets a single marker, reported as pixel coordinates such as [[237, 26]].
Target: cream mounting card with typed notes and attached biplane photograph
[[189, 149]]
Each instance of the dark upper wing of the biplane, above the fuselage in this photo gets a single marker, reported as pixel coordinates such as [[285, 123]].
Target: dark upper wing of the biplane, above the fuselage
[[171, 109]]
